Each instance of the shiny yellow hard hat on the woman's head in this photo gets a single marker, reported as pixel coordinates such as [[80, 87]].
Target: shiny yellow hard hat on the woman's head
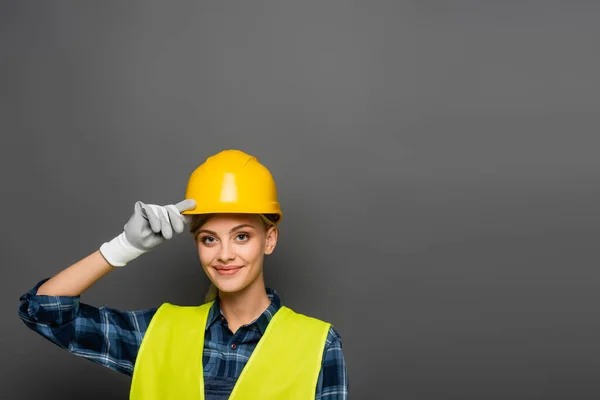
[[233, 182]]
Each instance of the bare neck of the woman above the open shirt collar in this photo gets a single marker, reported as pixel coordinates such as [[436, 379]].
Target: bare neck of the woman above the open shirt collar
[[241, 308]]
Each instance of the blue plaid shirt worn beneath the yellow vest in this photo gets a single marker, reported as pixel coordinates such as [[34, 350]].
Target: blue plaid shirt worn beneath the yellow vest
[[112, 338]]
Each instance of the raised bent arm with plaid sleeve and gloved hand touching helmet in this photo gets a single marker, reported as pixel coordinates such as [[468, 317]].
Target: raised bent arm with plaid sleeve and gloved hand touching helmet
[[107, 336]]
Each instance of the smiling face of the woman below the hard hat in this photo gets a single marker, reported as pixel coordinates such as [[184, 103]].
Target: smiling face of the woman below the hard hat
[[232, 249]]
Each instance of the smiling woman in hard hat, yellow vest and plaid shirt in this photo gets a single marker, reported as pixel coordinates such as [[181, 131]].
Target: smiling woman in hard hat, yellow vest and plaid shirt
[[241, 344]]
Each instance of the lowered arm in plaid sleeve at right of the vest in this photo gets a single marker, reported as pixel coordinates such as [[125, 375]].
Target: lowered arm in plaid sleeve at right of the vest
[[333, 377]]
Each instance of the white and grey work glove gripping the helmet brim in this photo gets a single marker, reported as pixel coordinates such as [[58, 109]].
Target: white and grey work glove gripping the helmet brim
[[149, 226]]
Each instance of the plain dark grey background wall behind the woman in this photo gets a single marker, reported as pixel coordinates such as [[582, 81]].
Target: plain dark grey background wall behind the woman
[[437, 163]]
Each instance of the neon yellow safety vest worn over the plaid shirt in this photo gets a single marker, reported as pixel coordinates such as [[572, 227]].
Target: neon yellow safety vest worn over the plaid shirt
[[284, 365]]
